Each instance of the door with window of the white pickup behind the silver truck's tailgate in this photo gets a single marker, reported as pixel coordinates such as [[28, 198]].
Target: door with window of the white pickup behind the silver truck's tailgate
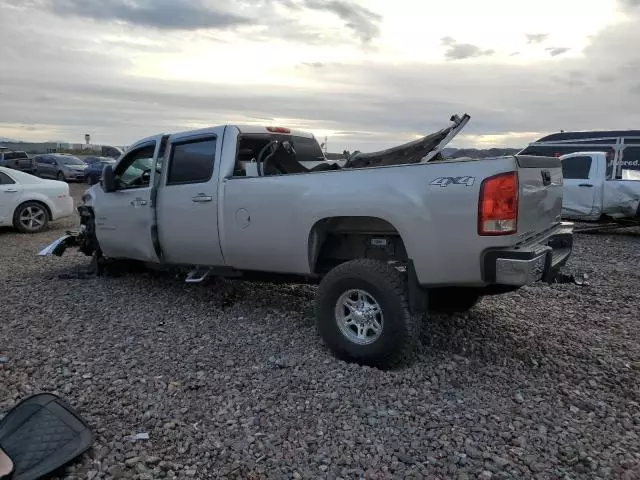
[[582, 193]]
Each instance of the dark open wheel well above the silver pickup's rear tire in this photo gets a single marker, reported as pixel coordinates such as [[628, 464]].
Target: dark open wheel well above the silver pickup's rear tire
[[336, 240]]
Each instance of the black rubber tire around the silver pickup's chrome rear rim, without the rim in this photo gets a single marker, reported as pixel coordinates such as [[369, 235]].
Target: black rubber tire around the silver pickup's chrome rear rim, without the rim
[[387, 287]]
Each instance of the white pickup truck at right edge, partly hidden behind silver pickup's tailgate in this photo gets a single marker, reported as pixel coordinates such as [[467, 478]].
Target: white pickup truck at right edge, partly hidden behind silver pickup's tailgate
[[591, 192]]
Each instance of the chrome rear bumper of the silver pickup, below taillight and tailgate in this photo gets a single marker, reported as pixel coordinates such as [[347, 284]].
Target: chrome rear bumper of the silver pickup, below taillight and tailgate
[[537, 260]]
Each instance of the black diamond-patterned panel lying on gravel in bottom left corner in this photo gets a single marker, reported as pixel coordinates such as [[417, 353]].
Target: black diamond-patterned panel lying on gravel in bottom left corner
[[42, 434]]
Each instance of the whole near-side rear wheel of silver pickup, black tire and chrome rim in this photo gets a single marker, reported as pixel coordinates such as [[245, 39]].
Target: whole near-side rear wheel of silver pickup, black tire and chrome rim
[[362, 314]]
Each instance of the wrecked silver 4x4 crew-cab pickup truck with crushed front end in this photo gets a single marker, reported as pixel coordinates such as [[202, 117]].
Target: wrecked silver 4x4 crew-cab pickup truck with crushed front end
[[389, 235]]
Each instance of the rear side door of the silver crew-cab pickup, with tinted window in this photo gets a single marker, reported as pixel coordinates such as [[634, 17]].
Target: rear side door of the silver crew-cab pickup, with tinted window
[[187, 202]]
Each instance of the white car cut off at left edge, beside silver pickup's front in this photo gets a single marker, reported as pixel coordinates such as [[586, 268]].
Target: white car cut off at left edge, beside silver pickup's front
[[29, 203]]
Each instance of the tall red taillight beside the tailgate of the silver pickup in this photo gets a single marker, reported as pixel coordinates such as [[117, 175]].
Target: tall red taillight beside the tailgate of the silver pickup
[[498, 205]]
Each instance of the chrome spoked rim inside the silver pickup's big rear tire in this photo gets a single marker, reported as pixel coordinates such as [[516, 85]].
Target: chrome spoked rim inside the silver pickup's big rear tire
[[359, 317]]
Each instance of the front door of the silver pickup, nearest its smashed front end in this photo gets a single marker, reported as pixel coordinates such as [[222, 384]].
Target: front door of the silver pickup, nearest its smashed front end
[[125, 218]]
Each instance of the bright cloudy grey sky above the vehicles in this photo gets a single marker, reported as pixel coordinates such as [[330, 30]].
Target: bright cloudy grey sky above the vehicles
[[367, 73]]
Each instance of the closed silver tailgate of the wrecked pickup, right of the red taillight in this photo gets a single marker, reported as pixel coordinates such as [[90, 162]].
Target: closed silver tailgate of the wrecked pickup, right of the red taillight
[[540, 193]]
